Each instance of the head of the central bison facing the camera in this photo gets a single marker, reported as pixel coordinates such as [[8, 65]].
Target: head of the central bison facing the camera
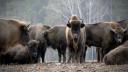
[[75, 24]]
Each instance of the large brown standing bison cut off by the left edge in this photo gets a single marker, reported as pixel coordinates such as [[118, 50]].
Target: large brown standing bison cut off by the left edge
[[12, 32]]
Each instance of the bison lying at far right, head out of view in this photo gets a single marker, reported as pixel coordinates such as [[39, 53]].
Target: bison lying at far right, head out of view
[[117, 56]]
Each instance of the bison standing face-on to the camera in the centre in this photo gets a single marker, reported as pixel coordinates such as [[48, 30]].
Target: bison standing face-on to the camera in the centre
[[76, 37]]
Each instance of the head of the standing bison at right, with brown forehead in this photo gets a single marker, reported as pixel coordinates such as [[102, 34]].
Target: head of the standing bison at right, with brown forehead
[[117, 32]]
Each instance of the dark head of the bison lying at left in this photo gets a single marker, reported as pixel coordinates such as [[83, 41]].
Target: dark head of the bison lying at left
[[33, 48]]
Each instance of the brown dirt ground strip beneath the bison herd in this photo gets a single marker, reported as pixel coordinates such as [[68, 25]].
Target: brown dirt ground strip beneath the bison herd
[[60, 67]]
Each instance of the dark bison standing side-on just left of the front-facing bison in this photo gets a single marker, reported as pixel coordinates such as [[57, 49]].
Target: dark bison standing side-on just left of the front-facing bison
[[55, 38]]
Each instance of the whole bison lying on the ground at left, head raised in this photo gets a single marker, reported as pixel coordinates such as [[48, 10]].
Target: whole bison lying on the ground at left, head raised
[[21, 54]]
